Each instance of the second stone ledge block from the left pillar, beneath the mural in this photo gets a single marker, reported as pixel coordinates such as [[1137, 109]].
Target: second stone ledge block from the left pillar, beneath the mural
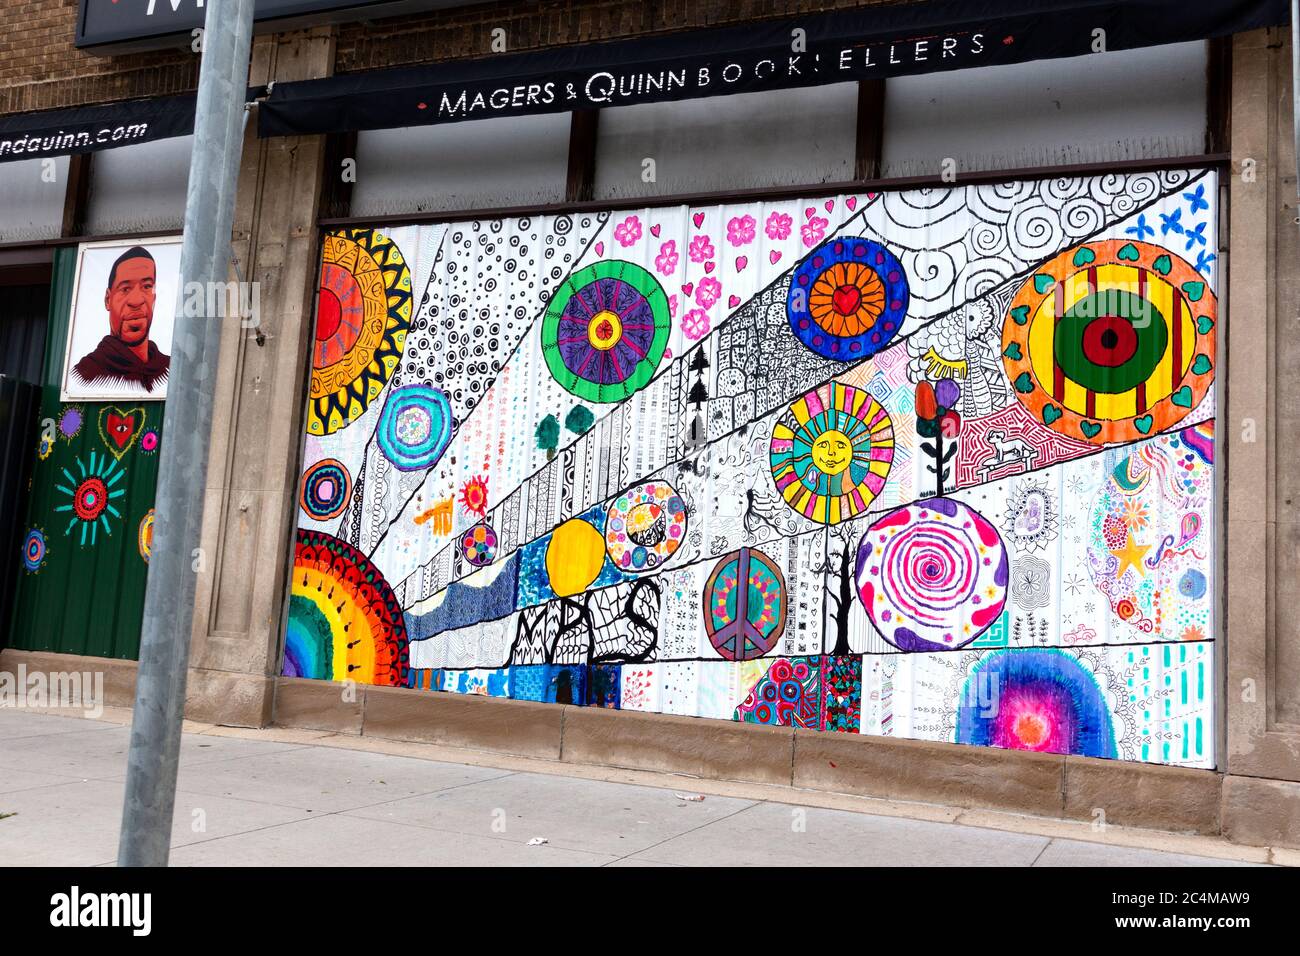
[[470, 721]]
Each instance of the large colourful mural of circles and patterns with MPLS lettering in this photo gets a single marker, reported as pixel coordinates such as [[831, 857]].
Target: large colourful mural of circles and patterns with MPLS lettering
[[930, 465]]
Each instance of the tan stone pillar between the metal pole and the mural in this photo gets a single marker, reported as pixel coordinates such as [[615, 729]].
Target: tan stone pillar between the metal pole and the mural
[[258, 423]]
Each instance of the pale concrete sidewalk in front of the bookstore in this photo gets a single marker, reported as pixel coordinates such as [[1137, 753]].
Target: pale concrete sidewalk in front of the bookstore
[[305, 798]]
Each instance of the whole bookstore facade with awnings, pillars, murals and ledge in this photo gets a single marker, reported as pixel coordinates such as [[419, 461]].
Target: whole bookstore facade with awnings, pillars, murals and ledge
[[908, 425]]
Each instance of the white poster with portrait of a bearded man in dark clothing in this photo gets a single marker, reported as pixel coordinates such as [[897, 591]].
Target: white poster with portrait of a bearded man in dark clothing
[[120, 335]]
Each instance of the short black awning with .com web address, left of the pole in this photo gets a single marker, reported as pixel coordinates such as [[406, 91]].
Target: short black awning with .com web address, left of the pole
[[85, 129]]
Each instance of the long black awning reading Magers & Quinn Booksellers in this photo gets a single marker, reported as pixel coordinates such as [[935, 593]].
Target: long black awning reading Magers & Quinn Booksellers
[[873, 42]]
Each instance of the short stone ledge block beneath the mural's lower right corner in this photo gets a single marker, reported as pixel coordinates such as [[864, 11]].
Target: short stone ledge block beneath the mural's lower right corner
[[1143, 795]]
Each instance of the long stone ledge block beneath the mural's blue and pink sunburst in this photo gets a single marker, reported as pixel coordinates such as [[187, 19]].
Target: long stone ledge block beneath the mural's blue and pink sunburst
[[930, 772]]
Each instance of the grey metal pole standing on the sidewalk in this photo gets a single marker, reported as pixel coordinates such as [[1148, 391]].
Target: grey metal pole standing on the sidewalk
[[183, 471]]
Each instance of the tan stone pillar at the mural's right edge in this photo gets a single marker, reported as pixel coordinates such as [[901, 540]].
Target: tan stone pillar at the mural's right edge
[[1260, 397]]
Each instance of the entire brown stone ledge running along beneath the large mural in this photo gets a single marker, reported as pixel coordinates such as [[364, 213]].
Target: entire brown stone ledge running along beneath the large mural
[[1134, 795]]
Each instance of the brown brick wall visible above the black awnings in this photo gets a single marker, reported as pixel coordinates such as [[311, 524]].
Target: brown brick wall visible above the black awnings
[[42, 70]]
